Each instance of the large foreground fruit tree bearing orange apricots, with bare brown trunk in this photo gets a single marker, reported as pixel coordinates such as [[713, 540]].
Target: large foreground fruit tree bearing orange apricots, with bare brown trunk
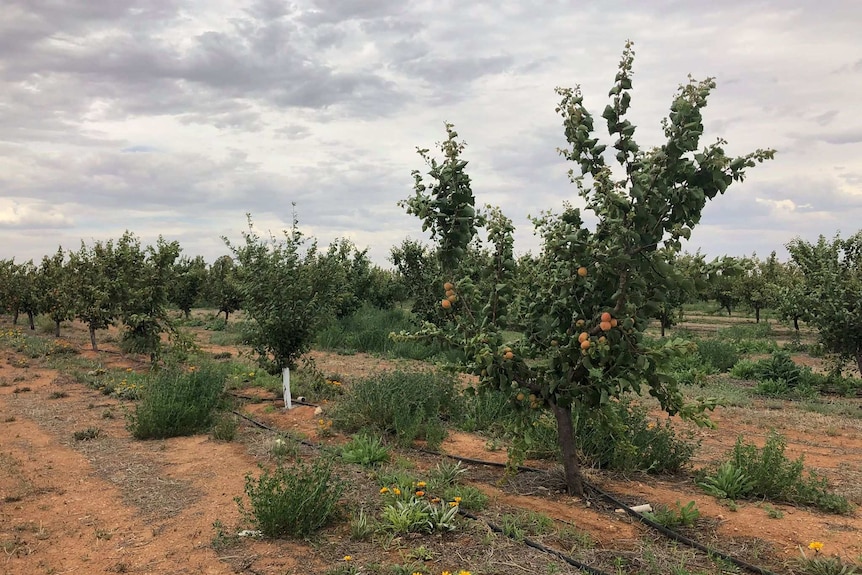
[[596, 288]]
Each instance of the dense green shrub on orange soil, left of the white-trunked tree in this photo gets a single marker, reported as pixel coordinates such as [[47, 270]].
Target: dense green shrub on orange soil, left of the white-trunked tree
[[176, 402]]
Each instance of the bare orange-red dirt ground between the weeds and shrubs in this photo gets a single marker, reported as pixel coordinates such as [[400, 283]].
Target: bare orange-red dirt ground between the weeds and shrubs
[[111, 504]]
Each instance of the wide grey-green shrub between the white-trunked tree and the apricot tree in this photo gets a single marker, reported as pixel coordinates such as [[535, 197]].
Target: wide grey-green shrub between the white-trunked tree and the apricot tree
[[408, 405]]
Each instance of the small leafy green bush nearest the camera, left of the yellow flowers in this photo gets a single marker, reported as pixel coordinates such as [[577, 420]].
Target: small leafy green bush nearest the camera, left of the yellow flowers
[[292, 502]]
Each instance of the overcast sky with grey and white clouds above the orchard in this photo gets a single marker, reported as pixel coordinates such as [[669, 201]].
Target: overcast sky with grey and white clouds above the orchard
[[178, 117]]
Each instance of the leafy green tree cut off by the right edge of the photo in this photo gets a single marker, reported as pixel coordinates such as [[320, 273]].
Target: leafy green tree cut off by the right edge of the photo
[[832, 279]]
